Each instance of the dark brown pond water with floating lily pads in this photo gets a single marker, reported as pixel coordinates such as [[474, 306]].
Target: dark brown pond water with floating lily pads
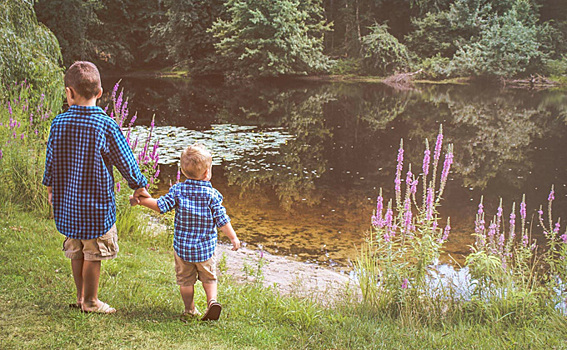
[[300, 163]]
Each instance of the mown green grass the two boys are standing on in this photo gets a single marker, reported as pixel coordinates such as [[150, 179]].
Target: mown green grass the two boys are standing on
[[36, 286]]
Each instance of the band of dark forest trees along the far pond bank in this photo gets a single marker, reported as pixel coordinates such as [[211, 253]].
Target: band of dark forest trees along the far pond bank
[[492, 39]]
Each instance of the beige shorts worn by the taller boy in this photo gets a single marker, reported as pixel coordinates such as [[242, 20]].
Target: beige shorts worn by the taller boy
[[104, 247]]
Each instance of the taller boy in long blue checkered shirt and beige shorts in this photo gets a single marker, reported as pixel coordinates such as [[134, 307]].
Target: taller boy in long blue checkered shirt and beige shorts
[[84, 145]]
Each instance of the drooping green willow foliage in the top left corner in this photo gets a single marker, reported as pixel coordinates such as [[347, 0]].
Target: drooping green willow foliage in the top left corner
[[28, 50]]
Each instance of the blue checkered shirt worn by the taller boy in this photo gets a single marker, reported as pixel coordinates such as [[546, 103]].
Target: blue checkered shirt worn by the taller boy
[[84, 145]]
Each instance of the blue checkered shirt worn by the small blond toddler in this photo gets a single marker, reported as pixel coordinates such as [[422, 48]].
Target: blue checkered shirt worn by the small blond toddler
[[198, 212]]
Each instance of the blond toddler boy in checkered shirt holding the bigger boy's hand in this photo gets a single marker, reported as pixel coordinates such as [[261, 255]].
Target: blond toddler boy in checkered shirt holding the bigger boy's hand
[[198, 212]]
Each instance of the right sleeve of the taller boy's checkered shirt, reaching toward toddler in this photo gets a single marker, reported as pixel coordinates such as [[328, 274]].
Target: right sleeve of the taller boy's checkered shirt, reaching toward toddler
[[121, 156]]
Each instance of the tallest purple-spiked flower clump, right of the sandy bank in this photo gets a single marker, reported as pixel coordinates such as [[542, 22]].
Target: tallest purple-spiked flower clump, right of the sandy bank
[[407, 238]]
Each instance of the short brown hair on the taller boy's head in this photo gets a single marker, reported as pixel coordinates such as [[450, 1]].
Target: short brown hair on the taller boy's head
[[84, 78]]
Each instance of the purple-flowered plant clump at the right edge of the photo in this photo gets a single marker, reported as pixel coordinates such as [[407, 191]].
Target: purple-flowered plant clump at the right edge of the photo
[[513, 271]]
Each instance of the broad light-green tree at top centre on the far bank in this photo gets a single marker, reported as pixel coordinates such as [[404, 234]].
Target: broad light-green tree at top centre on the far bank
[[271, 38]]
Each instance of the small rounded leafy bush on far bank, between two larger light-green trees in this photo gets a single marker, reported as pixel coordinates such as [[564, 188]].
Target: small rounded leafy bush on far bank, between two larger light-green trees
[[382, 53]]
